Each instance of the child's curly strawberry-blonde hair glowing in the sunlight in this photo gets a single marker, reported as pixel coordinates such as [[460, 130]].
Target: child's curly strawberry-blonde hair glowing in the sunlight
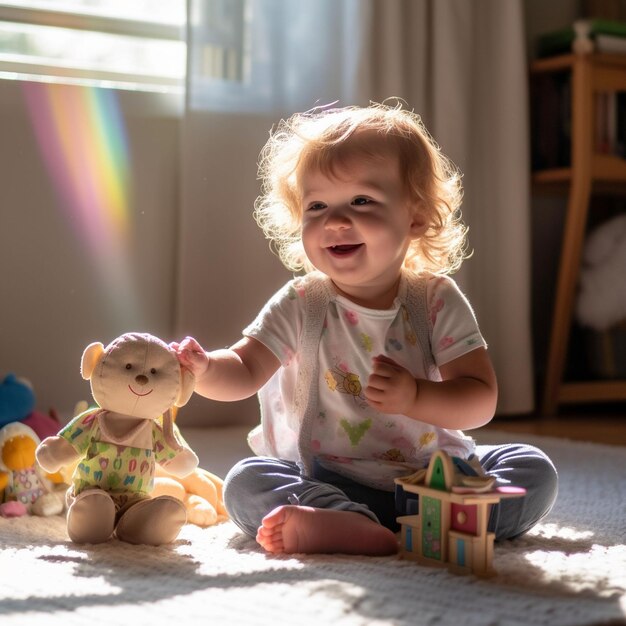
[[323, 140]]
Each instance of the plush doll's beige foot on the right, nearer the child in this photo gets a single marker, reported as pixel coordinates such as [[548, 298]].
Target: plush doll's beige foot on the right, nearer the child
[[153, 521]]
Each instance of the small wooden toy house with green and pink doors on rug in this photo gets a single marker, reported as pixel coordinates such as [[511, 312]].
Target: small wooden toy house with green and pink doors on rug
[[447, 515]]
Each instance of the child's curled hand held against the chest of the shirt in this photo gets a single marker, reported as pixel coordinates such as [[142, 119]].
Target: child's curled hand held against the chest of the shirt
[[391, 388]]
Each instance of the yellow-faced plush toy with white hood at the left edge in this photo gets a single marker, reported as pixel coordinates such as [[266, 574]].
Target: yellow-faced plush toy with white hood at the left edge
[[24, 487]]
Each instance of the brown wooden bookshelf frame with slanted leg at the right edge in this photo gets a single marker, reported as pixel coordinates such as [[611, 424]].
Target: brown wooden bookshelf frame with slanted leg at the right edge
[[586, 174]]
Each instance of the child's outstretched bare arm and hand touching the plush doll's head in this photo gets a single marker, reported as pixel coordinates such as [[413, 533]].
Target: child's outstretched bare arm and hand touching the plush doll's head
[[230, 374]]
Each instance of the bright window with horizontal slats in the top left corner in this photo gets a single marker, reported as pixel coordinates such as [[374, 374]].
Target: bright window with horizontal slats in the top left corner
[[129, 44]]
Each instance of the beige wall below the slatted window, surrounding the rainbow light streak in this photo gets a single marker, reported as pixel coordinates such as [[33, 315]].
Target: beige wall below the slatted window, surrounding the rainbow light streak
[[52, 298]]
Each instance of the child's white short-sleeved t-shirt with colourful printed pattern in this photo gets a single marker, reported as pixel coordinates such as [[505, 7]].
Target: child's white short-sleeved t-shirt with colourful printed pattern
[[348, 435]]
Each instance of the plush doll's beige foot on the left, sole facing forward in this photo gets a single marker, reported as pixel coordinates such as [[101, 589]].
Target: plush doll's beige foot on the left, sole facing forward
[[91, 517]]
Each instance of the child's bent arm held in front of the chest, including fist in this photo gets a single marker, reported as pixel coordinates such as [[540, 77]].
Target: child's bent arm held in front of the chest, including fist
[[464, 399]]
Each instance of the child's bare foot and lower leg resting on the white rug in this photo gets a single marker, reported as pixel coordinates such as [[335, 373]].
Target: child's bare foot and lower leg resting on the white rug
[[303, 529]]
